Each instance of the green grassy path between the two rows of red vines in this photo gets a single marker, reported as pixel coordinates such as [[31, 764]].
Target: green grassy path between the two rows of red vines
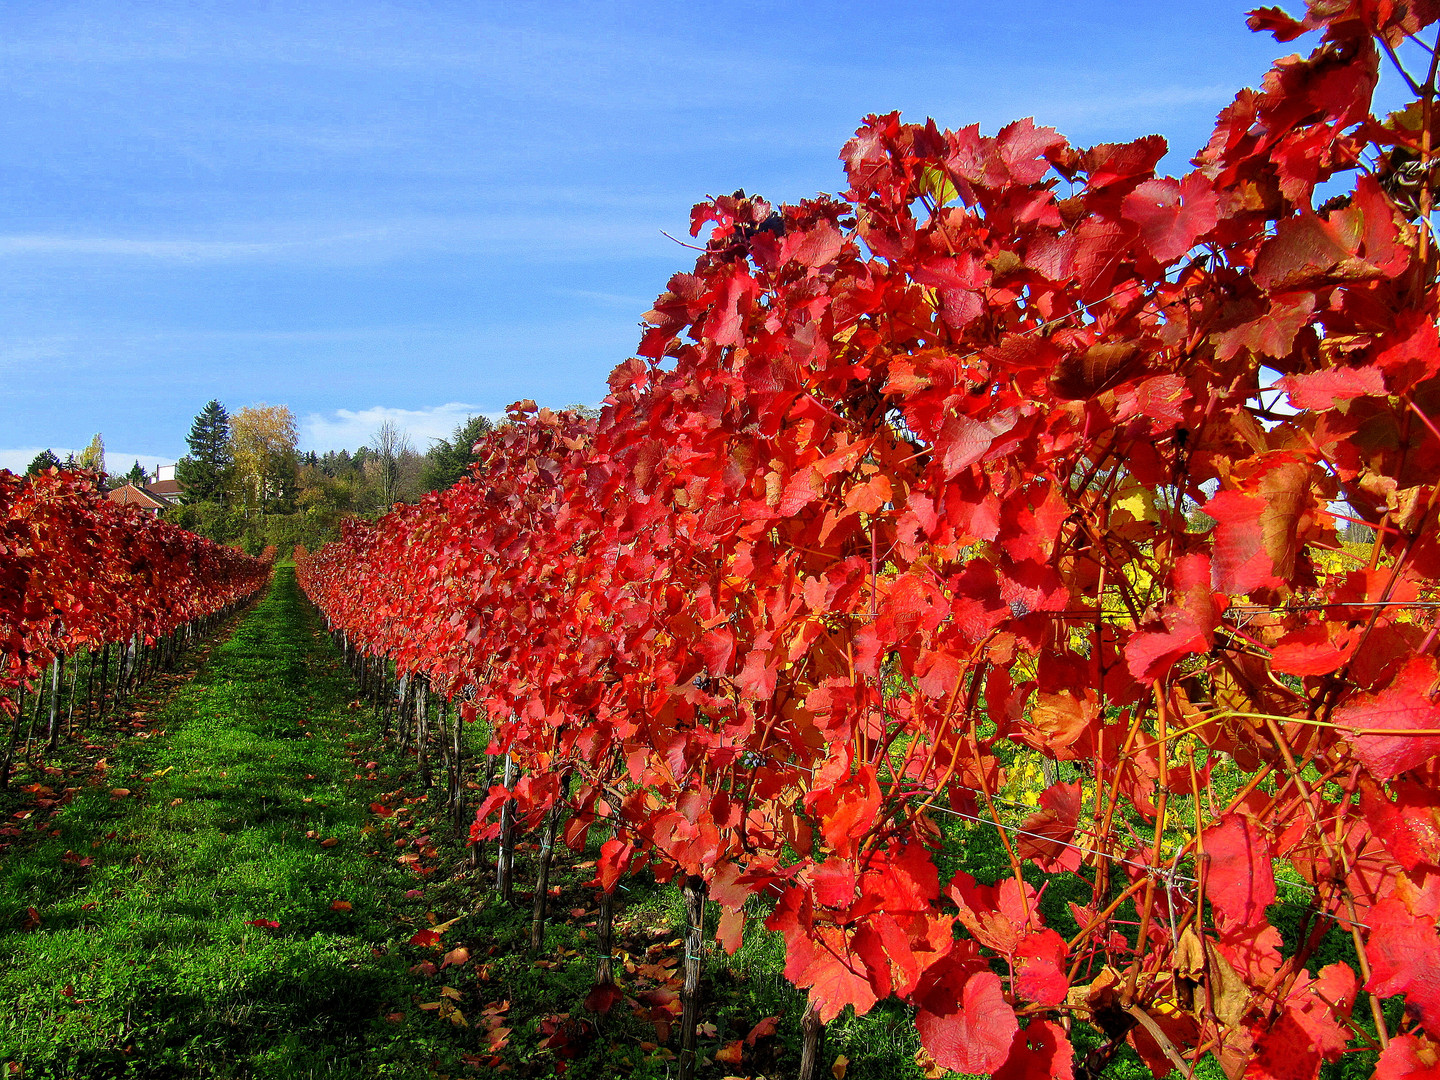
[[126, 947]]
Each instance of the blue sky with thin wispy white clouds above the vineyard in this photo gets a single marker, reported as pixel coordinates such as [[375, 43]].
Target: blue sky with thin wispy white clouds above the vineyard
[[418, 211]]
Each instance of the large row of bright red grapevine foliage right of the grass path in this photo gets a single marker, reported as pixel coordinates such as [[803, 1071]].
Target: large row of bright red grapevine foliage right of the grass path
[[1013, 441]]
